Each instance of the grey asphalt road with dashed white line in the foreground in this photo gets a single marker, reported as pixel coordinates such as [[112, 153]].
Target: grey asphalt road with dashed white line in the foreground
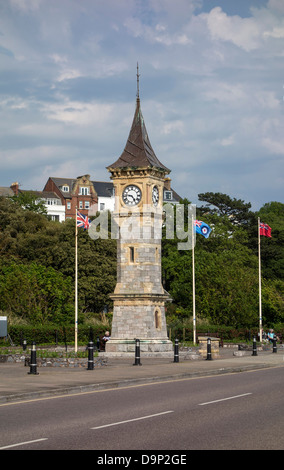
[[233, 411]]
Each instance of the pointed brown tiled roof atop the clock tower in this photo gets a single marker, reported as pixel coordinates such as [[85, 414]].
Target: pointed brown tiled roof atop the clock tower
[[138, 152]]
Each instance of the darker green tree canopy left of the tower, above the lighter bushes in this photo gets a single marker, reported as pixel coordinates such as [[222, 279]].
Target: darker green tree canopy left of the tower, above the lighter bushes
[[27, 237]]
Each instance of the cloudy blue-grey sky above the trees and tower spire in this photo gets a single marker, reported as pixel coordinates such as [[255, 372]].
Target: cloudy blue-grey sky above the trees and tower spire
[[211, 90]]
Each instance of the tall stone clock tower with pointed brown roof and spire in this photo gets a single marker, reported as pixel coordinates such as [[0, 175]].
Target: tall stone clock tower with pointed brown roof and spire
[[139, 297]]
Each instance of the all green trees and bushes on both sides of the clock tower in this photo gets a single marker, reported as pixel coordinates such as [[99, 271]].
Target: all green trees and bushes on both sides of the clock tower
[[37, 267]]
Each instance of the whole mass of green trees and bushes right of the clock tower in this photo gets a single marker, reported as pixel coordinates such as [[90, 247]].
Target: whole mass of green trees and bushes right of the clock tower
[[226, 265]]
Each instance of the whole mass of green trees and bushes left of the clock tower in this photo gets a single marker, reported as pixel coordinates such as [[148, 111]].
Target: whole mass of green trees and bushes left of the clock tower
[[28, 238]]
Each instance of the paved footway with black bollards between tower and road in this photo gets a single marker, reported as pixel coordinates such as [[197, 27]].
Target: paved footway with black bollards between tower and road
[[17, 384]]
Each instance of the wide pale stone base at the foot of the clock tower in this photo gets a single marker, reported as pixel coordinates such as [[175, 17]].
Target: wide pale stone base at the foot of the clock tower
[[148, 347]]
